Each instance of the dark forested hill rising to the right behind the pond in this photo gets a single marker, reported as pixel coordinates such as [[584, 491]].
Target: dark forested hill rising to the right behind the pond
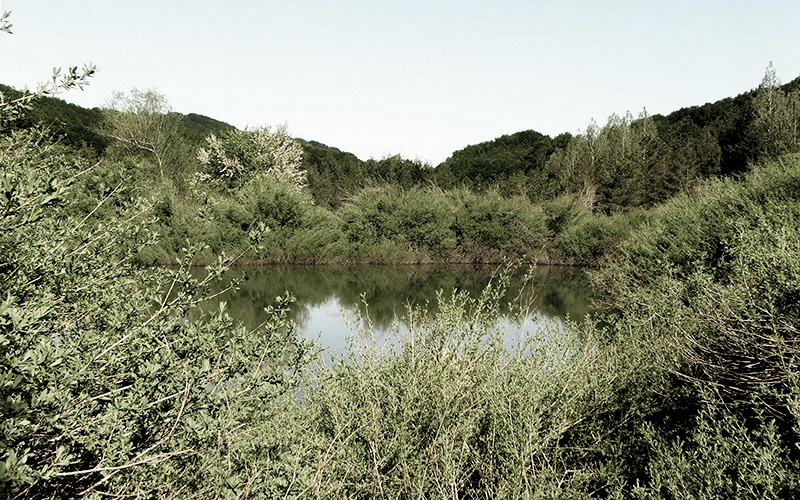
[[634, 160]]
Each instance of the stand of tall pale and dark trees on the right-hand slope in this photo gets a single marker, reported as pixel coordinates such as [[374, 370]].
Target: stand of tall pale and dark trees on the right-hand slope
[[643, 161]]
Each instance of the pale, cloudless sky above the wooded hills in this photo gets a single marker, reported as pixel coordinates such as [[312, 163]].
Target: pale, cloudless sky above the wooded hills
[[417, 78]]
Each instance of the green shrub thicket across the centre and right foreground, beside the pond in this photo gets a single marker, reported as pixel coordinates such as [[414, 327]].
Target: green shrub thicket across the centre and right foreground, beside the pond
[[689, 389]]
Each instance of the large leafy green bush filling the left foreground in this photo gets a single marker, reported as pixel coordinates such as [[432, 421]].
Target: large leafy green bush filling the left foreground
[[106, 387]]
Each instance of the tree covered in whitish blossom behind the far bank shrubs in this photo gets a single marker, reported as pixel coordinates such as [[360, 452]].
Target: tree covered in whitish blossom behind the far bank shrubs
[[241, 154]]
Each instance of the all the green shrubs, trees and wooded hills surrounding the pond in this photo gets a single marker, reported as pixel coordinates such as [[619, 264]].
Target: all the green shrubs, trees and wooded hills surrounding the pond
[[684, 384]]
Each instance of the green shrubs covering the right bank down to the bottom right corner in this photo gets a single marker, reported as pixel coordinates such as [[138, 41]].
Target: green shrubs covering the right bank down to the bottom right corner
[[708, 288]]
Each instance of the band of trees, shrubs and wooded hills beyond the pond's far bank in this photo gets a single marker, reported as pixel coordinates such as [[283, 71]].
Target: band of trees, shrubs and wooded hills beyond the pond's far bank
[[567, 200]]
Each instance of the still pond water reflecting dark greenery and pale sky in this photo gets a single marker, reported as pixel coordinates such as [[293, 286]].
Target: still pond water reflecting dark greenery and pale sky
[[329, 299]]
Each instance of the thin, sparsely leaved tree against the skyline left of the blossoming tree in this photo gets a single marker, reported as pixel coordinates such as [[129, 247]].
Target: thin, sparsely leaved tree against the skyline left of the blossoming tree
[[143, 121]]
